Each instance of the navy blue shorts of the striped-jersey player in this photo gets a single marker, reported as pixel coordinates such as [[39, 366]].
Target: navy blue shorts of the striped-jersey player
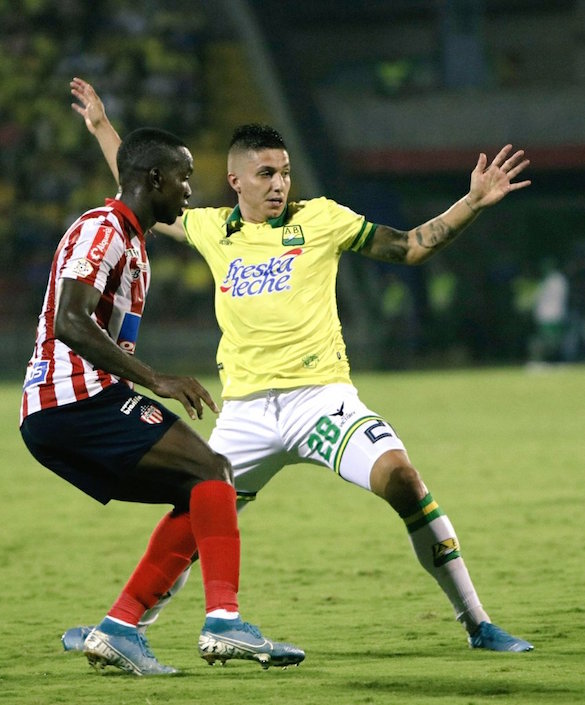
[[96, 443]]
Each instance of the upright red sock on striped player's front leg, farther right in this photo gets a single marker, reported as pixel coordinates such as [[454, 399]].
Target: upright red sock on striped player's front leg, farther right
[[215, 527]]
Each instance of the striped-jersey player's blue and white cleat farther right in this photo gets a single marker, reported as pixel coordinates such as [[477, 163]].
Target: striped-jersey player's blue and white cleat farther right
[[224, 639]]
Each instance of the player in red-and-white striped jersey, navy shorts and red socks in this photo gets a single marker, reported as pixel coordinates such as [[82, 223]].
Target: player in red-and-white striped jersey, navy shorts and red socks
[[82, 418]]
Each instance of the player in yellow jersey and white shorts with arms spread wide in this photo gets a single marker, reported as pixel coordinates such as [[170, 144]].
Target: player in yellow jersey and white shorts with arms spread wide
[[287, 393]]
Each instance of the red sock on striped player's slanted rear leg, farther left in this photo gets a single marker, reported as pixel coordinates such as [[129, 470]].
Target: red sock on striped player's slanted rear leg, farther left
[[169, 552]]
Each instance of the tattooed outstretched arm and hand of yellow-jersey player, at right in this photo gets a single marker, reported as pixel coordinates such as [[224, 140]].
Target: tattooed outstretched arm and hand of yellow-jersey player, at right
[[489, 184]]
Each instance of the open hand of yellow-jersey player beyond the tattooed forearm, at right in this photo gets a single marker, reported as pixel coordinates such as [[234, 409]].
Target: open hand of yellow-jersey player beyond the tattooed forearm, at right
[[490, 183]]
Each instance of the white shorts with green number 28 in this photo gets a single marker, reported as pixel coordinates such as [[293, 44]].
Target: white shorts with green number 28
[[327, 425]]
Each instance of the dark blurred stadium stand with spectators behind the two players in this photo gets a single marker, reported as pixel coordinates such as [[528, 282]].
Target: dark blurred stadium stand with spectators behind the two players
[[384, 105]]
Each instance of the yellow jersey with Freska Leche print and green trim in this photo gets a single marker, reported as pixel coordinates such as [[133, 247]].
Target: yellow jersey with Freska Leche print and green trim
[[275, 299]]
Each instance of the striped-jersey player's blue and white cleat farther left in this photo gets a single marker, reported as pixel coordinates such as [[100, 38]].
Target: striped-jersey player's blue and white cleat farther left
[[126, 648]]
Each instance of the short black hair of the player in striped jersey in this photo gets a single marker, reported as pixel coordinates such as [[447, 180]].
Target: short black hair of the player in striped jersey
[[145, 149]]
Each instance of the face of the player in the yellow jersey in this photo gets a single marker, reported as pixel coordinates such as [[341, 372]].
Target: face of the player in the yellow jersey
[[262, 182]]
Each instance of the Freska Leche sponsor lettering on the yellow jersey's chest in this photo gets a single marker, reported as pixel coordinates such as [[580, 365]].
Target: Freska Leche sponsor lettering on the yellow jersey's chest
[[270, 277]]
